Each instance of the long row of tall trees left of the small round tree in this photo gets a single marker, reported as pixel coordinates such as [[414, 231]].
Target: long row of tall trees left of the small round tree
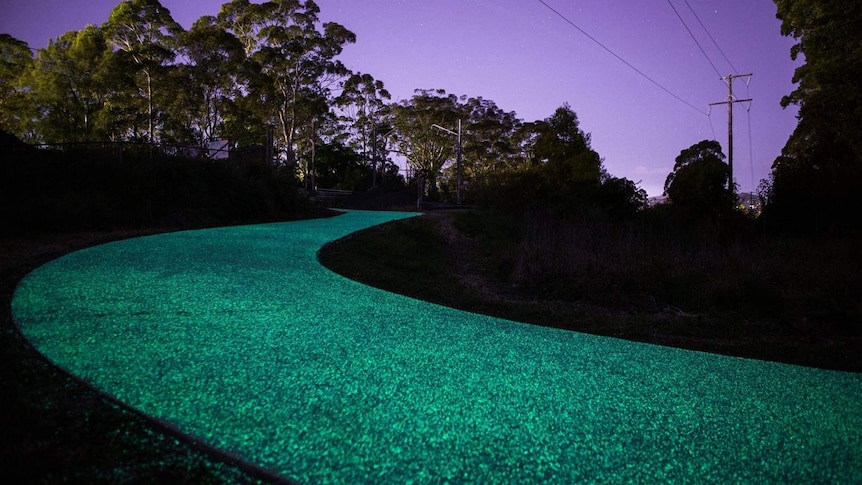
[[269, 73]]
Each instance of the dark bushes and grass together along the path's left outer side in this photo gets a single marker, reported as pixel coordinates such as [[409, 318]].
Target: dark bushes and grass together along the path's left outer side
[[55, 428]]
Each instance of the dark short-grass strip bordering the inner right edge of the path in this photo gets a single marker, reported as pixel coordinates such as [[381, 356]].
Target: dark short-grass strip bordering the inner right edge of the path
[[431, 259]]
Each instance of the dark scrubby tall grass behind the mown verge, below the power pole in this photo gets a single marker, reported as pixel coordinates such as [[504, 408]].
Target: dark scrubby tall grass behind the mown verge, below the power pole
[[802, 285]]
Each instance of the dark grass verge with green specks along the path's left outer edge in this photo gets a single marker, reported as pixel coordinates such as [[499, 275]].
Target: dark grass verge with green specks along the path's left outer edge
[[57, 429]]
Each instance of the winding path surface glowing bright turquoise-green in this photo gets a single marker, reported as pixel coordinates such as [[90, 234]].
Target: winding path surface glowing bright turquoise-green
[[239, 337]]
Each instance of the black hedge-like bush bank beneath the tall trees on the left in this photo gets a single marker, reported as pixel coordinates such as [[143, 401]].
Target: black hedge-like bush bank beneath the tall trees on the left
[[137, 186]]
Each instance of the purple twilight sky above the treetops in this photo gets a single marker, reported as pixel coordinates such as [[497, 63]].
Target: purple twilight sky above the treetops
[[525, 58]]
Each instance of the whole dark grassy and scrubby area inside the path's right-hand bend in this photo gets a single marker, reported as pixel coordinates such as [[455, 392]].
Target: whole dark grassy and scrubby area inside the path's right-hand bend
[[782, 298]]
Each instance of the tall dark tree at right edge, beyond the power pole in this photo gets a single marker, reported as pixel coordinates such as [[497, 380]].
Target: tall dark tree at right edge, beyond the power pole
[[814, 183]]
